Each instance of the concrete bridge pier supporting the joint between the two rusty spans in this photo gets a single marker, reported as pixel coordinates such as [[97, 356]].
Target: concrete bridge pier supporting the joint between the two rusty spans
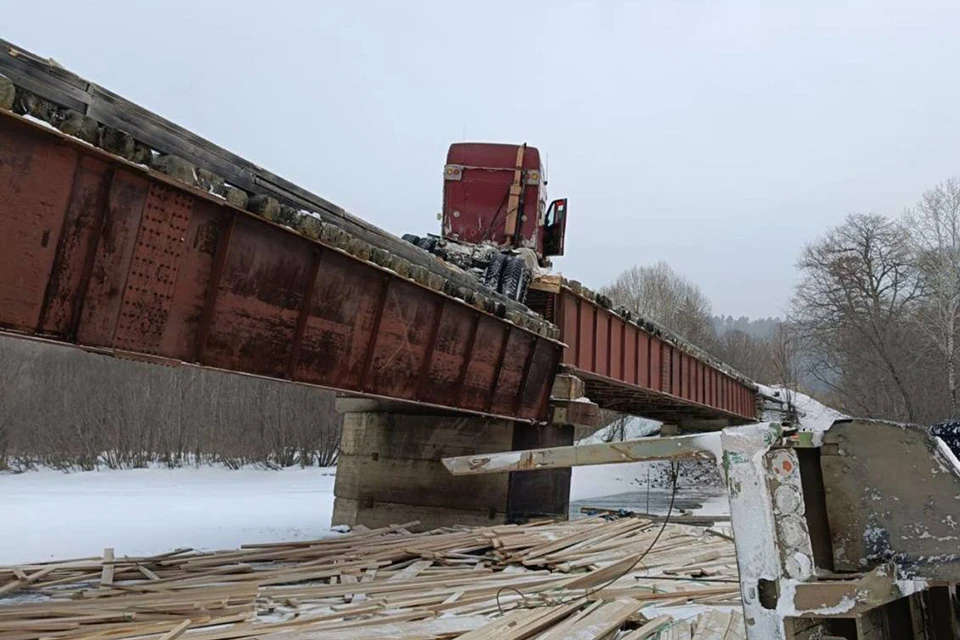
[[389, 470]]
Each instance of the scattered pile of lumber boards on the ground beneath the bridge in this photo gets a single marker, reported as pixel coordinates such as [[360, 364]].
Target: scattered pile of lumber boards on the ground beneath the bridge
[[598, 577]]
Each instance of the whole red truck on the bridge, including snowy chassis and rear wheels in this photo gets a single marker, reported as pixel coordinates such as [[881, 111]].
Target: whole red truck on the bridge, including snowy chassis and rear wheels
[[496, 222]]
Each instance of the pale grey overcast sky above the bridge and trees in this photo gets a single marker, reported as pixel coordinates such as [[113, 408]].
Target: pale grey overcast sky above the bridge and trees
[[719, 136]]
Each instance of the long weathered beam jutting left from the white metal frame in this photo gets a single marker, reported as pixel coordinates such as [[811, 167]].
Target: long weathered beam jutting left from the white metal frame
[[643, 449]]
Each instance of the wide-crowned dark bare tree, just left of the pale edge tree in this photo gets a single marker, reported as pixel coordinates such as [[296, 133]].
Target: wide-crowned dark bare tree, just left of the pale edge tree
[[858, 286]]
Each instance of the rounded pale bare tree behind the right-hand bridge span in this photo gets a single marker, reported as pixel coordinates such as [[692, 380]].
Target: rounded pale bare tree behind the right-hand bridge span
[[660, 294]]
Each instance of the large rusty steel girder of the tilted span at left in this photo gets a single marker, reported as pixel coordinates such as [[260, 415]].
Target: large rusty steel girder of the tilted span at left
[[102, 253]]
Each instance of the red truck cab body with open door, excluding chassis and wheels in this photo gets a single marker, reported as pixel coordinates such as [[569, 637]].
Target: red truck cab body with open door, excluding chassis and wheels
[[496, 193]]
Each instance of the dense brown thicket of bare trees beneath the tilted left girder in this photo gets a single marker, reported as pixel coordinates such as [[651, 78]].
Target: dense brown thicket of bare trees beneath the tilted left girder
[[66, 408]]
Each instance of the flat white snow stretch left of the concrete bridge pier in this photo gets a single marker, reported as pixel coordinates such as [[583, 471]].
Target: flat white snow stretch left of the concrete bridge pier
[[49, 514]]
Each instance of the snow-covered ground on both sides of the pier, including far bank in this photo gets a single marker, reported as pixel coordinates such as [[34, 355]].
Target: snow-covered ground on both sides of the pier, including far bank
[[49, 514]]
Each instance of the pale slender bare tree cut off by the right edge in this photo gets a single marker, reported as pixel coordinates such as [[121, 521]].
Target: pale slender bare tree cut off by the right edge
[[935, 232]]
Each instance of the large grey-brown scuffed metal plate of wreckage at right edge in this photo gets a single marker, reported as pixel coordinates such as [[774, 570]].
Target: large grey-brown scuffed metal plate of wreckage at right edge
[[891, 495]]
